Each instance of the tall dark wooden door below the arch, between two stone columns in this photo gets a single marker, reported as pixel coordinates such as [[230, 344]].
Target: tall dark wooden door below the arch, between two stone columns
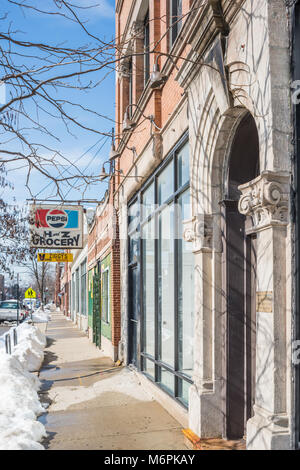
[[240, 288]]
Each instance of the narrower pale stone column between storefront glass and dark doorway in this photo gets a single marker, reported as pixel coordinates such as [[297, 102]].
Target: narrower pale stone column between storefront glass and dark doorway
[[205, 405]]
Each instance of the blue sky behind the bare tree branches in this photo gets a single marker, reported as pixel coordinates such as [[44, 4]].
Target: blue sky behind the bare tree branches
[[88, 149]]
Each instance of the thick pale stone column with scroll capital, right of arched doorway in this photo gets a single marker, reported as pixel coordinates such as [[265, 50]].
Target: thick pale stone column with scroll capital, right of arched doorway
[[265, 200]]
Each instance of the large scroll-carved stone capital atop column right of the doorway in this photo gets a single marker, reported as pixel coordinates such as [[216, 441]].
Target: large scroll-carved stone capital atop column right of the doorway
[[265, 200]]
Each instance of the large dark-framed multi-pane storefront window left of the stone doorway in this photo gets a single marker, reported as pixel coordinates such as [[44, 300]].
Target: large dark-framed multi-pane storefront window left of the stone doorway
[[161, 332]]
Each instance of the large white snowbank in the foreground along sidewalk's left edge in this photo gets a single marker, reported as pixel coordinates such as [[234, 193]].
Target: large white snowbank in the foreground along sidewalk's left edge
[[20, 404]]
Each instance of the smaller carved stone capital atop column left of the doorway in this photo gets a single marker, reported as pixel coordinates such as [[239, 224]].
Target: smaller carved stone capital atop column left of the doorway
[[199, 231]]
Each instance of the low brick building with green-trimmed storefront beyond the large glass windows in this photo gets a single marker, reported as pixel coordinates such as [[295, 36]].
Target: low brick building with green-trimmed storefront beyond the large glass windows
[[104, 277]]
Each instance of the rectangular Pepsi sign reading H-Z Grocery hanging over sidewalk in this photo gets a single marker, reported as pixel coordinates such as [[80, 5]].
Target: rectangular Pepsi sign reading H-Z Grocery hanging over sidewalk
[[56, 226]]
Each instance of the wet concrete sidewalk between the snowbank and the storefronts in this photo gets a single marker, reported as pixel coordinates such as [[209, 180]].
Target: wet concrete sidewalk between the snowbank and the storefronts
[[95, 405]]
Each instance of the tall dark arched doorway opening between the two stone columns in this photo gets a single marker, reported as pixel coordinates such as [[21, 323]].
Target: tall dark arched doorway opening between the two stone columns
[[240, 280]]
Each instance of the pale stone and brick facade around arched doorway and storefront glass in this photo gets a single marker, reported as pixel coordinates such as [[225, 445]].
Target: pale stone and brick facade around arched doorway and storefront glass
[[235, 62]]
